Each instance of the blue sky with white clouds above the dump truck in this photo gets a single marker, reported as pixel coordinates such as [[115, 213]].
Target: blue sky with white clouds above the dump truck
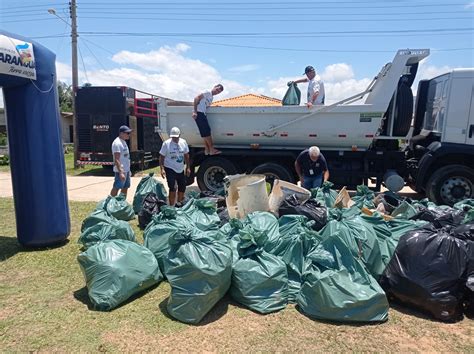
[[180, 48]]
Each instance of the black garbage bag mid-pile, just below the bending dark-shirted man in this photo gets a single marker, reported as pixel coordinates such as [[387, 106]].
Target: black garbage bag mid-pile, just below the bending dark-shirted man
[[312, 209]]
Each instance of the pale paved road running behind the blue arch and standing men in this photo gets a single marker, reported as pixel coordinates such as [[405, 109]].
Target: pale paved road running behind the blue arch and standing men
[[93, 188]]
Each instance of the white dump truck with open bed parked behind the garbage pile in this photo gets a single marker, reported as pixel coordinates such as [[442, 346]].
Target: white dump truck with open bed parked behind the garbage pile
[[380, 135]]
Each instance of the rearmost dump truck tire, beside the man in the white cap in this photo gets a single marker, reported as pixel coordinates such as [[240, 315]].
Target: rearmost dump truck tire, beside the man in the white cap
[[211, 173]]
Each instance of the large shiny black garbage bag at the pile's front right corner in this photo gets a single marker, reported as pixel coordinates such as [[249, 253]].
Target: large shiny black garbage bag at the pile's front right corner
[[429, 271]]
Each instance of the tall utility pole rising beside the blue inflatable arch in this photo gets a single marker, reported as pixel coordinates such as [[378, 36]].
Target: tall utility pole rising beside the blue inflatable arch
[[75, 79]]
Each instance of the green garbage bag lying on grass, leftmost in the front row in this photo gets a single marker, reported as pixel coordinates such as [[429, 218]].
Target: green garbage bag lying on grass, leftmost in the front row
[[116, 270]]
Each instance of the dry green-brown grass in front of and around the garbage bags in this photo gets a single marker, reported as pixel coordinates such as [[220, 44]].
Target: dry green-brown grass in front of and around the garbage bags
[[44, 307]]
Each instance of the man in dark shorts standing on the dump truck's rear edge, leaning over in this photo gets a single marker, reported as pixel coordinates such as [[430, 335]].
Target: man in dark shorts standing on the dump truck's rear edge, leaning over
[[201, 103]]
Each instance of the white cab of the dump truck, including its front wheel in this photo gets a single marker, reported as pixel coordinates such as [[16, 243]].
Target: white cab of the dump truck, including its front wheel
[[442, 146]]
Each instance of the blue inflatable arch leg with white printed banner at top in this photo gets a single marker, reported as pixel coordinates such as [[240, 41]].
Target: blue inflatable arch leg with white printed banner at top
[[28, 79]]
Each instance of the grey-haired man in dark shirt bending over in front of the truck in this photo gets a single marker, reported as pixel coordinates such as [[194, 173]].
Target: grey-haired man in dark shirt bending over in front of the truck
[[311, 167]]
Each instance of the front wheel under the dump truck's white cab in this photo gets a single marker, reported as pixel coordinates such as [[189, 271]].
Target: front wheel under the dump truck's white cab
[[451, 184]]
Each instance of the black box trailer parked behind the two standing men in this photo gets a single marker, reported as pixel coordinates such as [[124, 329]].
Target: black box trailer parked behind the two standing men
[[102, 110]]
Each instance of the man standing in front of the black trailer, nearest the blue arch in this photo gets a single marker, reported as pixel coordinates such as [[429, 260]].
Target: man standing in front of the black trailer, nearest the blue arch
[[121, 162]]
